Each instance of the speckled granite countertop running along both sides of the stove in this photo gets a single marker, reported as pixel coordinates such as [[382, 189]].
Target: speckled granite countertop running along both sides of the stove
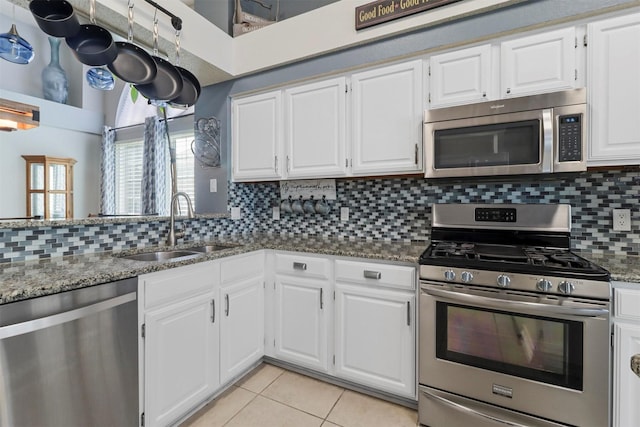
[[30, 279]]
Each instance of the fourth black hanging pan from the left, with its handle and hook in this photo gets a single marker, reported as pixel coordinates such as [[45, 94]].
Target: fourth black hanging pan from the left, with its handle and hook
[[167, 84]]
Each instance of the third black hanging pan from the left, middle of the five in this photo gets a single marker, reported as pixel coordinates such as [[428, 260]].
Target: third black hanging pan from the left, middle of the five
[[133, 64]]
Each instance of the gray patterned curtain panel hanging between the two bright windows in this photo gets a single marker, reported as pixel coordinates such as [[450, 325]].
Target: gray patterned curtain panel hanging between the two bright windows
[[154, 168]]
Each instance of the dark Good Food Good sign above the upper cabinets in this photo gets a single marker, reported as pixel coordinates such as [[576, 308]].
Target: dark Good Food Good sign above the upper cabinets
[[380, 11]]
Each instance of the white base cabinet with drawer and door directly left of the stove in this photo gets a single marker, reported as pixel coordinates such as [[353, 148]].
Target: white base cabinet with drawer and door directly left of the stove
[[375, 326]]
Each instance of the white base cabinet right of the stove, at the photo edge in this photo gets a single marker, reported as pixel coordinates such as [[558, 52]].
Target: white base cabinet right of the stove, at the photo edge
[[626, 384]]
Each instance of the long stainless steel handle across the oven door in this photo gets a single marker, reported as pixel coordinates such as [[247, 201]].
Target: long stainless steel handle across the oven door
[[487, 302]]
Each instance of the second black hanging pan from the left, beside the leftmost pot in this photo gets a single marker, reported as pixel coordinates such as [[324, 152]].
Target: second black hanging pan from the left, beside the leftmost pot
[[93, 45]]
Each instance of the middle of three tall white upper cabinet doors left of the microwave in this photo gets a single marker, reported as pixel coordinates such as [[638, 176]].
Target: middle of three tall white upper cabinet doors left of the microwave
[[315, 129]]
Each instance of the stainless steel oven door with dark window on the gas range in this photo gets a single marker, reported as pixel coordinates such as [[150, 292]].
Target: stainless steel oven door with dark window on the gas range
[[543, 356]]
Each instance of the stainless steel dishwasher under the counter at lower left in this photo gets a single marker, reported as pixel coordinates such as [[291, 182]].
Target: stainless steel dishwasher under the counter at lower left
[[71, 359]]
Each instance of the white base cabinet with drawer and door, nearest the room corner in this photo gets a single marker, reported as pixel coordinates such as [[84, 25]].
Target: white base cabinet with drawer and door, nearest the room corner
[[302, 310]]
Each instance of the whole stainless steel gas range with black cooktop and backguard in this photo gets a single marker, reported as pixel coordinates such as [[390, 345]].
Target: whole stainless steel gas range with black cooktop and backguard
[[514, 327]]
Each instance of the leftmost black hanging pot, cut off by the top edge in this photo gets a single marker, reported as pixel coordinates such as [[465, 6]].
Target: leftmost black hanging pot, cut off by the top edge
[[55, 17]]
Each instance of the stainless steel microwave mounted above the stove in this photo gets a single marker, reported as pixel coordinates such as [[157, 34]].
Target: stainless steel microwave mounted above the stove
[[528, 135]]
